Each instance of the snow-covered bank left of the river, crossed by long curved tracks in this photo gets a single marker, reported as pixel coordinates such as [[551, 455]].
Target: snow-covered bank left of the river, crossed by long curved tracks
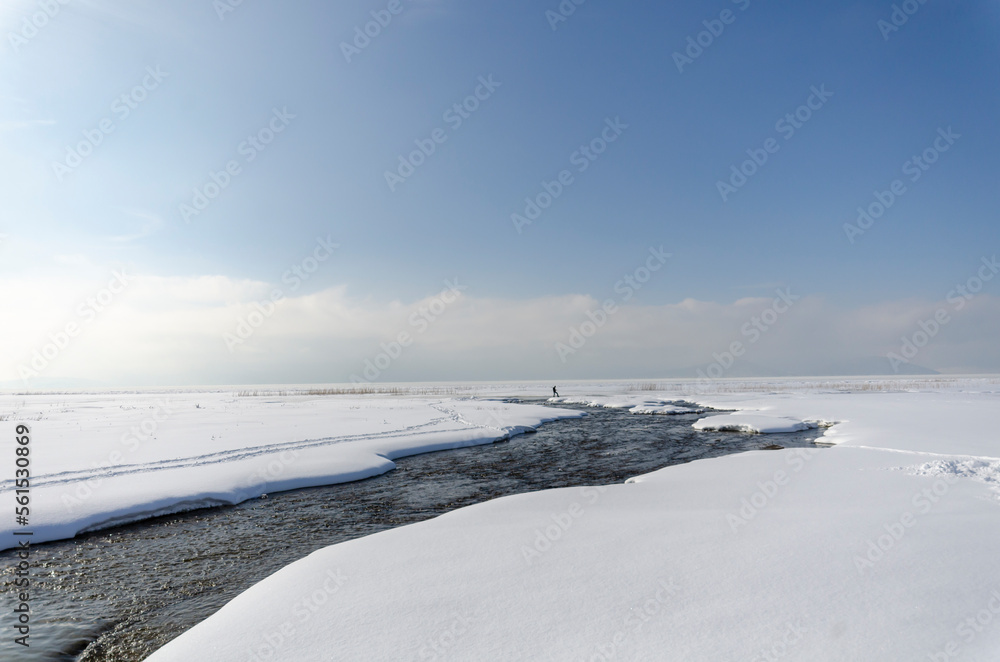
[[101, 460]]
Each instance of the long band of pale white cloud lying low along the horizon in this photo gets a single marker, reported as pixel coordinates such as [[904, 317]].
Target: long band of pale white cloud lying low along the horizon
[[171, 331]]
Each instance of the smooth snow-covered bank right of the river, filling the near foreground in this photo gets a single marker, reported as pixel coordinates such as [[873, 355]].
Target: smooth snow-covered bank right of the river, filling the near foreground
[[881, 548]]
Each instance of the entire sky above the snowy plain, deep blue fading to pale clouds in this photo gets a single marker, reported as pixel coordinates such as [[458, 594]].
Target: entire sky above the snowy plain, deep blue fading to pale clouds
[[224, 73]]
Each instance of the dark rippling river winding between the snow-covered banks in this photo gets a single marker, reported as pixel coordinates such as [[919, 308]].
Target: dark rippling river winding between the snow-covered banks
[[117, 595]]
